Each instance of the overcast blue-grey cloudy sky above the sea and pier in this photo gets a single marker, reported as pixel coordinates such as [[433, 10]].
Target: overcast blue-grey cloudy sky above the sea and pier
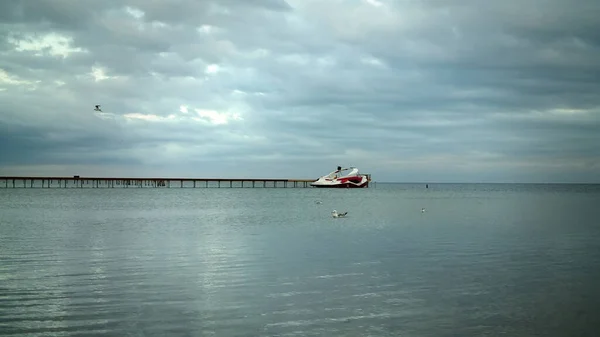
[[408, 91]]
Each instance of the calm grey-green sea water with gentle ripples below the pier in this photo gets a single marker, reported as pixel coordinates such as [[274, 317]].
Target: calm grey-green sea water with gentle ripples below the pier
[[482, 260]]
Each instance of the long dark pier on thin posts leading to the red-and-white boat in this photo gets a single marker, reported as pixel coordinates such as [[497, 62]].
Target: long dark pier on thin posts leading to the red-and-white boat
[[97, 182]]
